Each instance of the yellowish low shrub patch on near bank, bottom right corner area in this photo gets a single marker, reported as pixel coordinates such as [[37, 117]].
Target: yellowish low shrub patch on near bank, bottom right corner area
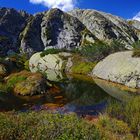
[[113, 128]]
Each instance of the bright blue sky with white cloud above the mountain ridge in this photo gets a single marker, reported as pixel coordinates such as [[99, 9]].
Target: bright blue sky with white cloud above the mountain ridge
[[124, 8]]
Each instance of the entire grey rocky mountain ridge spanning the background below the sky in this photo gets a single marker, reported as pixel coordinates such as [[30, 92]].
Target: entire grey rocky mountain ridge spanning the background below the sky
[[20, 31]]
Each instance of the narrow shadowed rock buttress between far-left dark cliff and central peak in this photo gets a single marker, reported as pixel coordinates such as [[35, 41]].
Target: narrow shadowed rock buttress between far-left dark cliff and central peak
[[30, 37]]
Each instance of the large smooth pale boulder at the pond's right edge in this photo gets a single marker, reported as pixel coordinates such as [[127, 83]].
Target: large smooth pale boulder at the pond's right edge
[[120, 68]]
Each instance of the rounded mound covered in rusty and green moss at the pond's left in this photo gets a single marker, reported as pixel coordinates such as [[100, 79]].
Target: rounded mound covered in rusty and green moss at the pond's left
[[27, 84]]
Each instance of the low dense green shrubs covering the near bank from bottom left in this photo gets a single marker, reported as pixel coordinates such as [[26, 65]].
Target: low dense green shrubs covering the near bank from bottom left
[[46, 126]]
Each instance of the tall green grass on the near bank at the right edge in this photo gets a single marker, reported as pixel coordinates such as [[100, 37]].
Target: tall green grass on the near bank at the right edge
[[128, 112]]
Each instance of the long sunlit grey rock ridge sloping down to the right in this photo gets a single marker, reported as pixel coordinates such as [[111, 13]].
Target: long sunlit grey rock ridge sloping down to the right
[[106, 27]]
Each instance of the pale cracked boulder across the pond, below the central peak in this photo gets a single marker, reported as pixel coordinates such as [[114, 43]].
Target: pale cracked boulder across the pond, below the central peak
[[50, 61]]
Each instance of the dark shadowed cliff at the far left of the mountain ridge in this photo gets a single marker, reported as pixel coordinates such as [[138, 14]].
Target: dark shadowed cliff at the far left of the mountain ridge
[[12, 22]]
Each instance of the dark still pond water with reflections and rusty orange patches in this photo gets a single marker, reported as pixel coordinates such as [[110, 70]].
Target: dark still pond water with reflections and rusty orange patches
[[75, 94]]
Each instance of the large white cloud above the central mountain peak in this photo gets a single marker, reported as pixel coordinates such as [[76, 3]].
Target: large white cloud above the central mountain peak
[[64, 5]]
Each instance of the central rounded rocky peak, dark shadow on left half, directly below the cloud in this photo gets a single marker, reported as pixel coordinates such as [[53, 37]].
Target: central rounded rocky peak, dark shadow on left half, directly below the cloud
[[61, 30]]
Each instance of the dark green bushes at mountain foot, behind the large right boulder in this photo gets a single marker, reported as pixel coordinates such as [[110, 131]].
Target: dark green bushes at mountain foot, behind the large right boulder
[[99, 50]]
